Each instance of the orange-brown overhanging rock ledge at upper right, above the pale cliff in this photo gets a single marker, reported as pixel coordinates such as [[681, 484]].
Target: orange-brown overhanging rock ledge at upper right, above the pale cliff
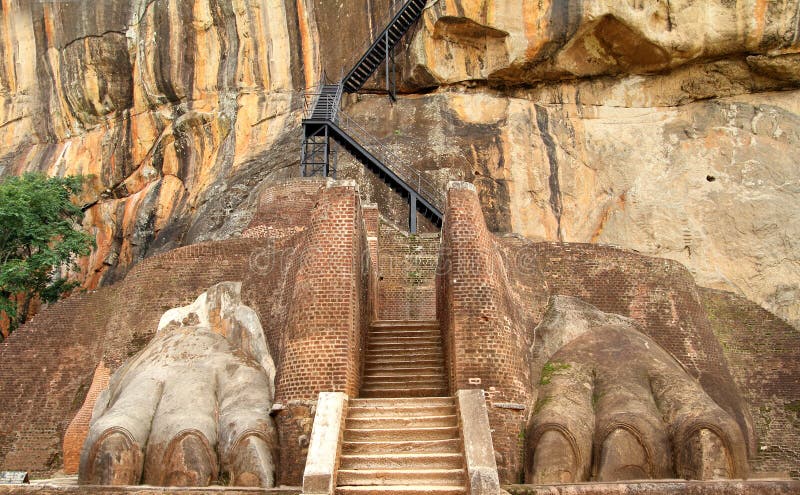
[[522, 42]]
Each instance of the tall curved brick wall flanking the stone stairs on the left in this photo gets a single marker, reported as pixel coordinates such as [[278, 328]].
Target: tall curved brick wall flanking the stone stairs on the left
[[328, 315]]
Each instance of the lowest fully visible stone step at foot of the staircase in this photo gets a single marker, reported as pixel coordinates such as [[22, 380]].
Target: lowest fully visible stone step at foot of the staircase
[[373, 477]]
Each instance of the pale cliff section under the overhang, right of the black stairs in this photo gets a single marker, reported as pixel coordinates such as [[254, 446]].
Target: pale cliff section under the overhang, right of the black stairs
[[711, 184]]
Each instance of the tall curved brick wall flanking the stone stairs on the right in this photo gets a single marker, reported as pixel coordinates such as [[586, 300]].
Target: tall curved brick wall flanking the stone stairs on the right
[[484, 331]]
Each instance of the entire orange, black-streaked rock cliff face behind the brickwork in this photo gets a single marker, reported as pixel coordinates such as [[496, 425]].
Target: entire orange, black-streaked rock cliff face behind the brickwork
[[670, 127]]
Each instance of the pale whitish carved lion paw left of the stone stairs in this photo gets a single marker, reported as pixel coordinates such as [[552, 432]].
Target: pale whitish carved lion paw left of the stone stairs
[[192, 404]]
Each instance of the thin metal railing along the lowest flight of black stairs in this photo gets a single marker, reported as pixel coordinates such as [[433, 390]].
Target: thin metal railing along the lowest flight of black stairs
[[411, 176]]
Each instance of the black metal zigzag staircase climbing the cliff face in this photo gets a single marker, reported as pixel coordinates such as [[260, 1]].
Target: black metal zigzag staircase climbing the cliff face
[[324, 122]]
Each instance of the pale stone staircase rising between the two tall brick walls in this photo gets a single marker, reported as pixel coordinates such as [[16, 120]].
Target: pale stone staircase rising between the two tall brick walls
[[402, 436]]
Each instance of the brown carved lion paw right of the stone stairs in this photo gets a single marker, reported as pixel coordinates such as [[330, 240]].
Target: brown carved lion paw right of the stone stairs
[[613, 405]]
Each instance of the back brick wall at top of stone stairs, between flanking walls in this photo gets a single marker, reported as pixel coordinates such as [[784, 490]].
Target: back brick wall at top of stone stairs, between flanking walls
[[406, 274]]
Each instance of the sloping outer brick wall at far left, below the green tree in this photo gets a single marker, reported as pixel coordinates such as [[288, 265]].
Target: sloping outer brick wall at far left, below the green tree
[[47, 369]]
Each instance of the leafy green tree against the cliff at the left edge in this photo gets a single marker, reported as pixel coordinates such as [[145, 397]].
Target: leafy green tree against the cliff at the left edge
[[39, 237]]
